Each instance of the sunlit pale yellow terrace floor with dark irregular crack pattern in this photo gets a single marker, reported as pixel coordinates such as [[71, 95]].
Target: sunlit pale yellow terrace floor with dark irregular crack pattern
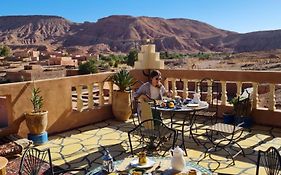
[[83, 147]]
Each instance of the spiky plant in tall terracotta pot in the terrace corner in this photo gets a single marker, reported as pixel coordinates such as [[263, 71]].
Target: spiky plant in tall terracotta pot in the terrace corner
[[121, 99]]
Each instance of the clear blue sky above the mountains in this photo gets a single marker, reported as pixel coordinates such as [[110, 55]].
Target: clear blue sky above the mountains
[[236, 15]]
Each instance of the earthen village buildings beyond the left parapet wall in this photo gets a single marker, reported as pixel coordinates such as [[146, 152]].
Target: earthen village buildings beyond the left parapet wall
[[29, 65]]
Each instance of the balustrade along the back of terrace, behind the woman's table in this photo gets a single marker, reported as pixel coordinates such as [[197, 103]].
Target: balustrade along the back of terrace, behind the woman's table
[[266, 109]]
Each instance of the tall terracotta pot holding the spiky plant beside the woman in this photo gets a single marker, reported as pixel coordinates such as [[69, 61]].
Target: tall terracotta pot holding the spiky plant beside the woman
[[121, 105]]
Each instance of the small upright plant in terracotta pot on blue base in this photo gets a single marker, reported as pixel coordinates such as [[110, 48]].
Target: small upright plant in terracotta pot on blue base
[[36, 120]]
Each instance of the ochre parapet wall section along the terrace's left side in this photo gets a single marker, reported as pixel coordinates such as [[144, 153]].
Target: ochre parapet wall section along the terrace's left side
[[71, 102]]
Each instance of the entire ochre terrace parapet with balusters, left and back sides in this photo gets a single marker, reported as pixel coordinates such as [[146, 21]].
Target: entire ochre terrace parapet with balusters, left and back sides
[[81, 100]]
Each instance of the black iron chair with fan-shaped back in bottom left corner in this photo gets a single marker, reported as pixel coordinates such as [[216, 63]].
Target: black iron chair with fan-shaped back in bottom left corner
[[33, 160]]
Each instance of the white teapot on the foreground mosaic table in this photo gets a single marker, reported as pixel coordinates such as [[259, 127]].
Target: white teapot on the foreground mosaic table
[[177, 161]]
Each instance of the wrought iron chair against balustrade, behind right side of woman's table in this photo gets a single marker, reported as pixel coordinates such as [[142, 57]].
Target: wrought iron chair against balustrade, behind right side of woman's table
[[209, 91]]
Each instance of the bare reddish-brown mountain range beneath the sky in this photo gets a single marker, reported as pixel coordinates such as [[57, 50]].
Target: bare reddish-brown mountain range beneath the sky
[[121, 33]]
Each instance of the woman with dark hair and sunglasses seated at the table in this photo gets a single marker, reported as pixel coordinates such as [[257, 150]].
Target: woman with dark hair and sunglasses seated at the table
[[153, 89]]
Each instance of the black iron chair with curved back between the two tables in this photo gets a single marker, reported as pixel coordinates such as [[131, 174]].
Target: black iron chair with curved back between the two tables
[[153, 137]]
